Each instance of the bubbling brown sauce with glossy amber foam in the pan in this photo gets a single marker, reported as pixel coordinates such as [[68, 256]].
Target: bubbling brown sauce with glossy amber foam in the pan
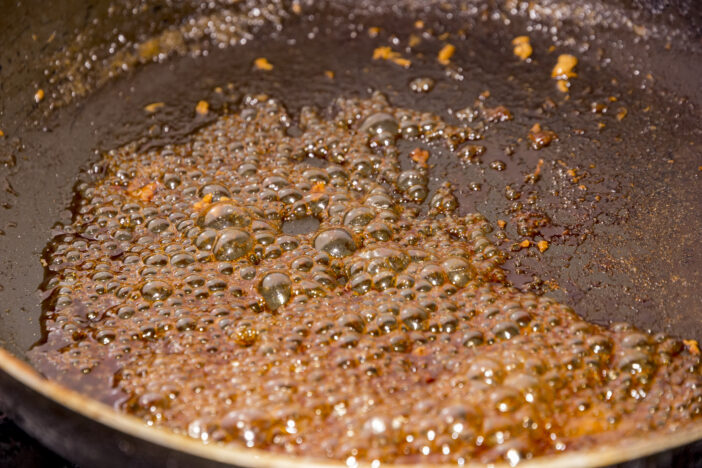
[[299, 292]]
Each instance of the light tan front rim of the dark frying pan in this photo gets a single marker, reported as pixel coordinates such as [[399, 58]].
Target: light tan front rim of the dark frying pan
[[255, 458]]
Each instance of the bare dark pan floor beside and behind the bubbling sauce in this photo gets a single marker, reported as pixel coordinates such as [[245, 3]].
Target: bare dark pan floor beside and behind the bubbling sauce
[[618, 187]]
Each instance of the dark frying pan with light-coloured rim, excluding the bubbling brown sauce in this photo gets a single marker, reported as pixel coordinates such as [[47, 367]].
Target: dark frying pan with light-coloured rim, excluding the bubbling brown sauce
[[631, 256]]
